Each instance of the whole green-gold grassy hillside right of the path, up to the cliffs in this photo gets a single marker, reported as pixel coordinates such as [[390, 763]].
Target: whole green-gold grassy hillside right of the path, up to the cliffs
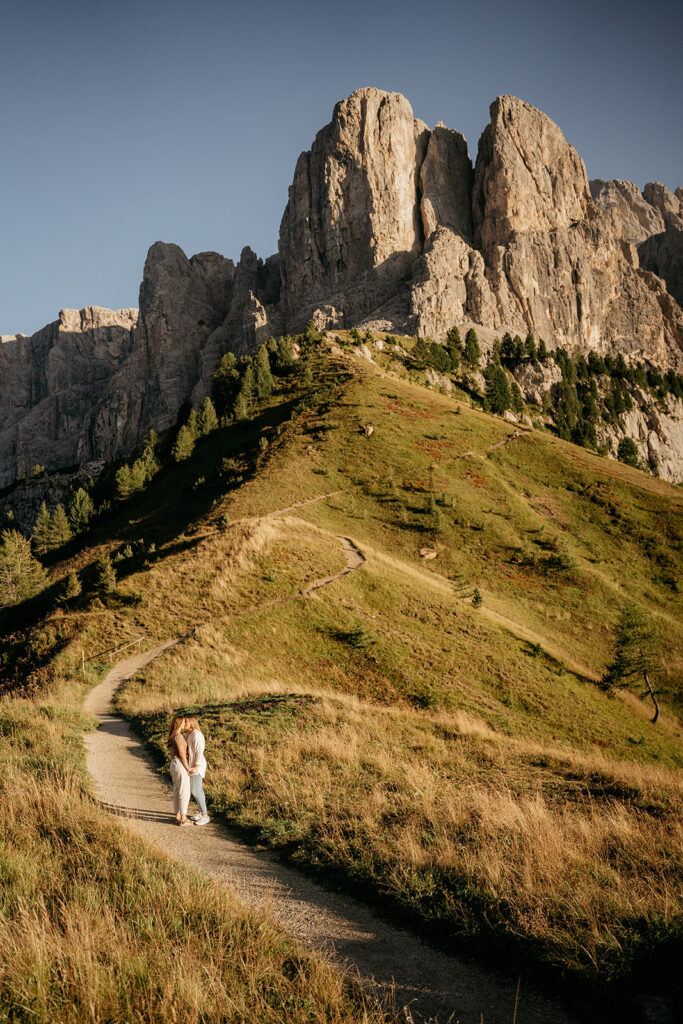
[[458, 763]]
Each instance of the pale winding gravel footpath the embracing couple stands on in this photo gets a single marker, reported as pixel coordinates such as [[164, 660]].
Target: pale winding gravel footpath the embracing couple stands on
[[417, 982]]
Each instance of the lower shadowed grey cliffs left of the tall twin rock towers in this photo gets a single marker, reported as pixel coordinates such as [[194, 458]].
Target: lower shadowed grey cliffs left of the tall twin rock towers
[[89, 388]]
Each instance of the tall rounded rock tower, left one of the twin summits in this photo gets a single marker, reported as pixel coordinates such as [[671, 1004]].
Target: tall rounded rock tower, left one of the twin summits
[[353, 226]]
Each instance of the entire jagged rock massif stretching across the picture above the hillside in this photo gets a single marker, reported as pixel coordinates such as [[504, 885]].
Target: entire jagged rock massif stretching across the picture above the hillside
[[388, 226]]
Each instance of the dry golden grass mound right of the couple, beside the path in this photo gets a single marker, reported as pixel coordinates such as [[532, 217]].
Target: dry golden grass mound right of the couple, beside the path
[[570, 852]]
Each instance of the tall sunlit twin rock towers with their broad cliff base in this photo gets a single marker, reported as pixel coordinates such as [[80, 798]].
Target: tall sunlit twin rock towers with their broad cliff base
[[388, 226]]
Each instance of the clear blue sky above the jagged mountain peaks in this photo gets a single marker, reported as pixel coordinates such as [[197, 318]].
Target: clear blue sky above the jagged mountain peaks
[[124, 123]]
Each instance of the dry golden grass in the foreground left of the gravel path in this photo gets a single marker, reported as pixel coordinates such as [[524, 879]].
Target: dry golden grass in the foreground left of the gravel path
[[96, 928]]
